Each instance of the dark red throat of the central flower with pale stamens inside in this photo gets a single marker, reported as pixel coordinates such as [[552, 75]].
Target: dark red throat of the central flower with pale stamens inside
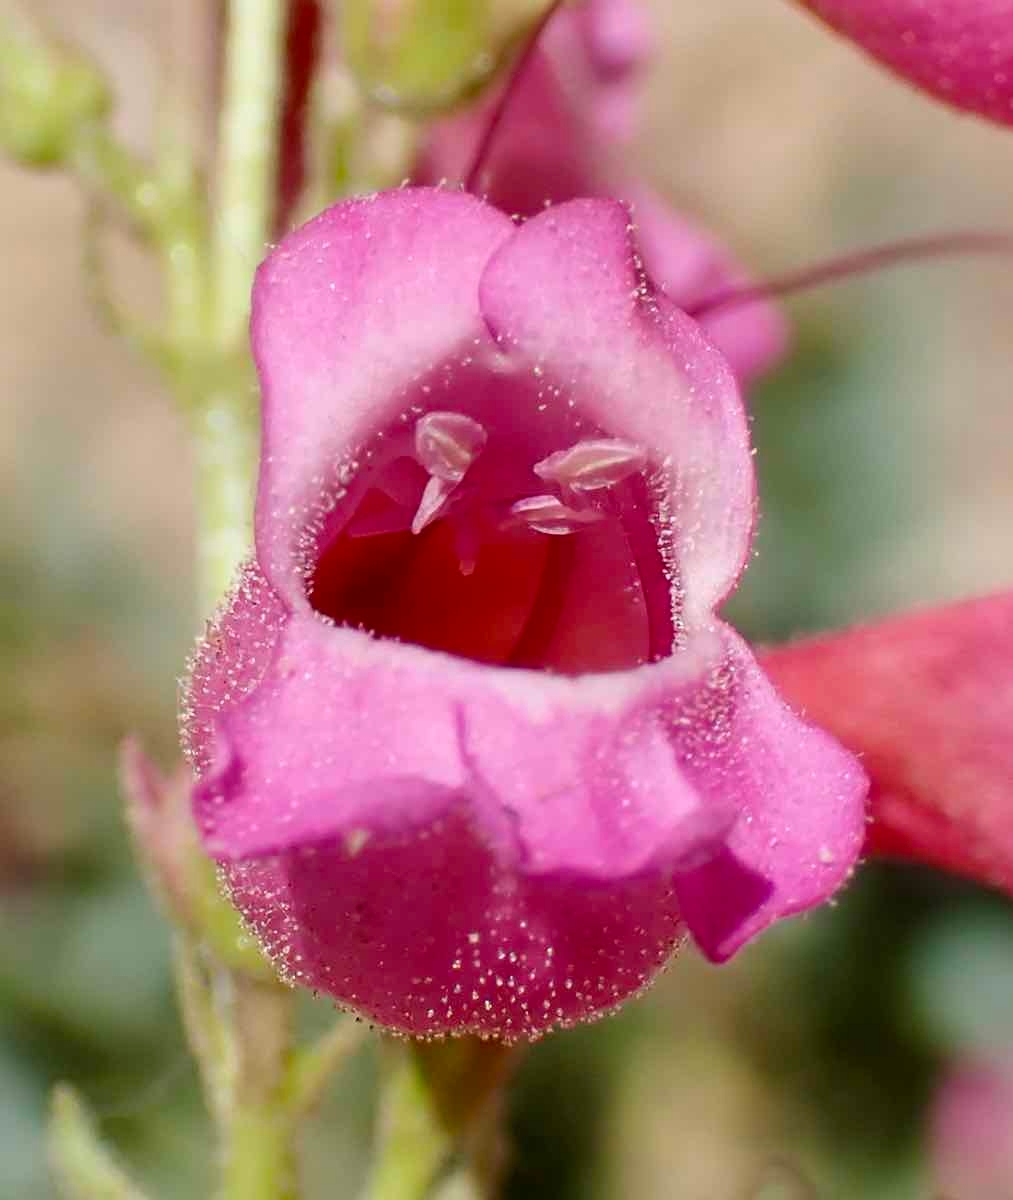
[[500, 526]]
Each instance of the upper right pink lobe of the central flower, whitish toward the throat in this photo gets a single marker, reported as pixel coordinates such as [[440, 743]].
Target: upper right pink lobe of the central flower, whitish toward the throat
[[654, 380]]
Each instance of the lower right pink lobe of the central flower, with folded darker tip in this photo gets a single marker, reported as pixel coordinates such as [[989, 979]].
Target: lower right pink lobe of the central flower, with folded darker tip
[[802, 819]]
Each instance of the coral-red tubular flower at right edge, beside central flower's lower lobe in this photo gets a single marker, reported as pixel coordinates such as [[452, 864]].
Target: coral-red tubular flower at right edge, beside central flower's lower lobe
[[927, 700]]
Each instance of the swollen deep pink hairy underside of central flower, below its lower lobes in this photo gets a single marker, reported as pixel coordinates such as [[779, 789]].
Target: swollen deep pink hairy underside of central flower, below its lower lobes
[[433, 937]]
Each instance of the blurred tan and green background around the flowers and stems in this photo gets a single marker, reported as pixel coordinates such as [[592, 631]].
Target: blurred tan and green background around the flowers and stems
[[886, 459]]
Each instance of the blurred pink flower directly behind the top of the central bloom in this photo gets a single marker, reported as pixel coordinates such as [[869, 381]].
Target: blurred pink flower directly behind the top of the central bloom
[[568, 113]]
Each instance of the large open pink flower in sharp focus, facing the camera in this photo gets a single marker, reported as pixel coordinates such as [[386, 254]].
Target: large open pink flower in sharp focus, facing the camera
[[473, 748]]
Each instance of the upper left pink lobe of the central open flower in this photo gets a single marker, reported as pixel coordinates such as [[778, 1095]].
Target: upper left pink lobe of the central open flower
[[347, 314]]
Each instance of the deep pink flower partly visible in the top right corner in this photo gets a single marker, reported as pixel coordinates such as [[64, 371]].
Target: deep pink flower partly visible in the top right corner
[[961, 51]]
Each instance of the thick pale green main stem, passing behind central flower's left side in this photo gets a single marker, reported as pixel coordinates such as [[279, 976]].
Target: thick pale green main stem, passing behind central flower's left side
[[253, 1019]]
